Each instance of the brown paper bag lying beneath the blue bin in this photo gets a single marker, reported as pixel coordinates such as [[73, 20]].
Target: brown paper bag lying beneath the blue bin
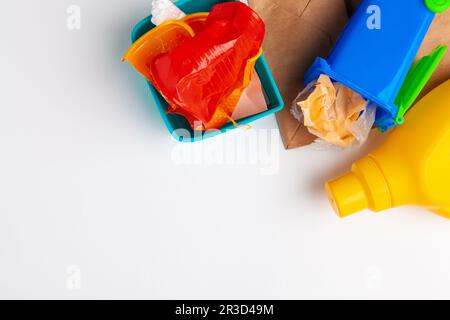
[[298, 31]]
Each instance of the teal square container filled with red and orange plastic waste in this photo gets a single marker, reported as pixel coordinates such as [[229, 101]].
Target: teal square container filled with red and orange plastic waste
[[202, 67]]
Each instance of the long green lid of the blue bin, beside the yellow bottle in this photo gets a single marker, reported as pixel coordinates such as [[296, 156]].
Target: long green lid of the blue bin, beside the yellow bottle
[[415, 81]]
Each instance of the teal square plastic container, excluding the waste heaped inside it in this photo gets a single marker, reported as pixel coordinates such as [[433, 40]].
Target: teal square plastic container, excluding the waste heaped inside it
[[178, 125]]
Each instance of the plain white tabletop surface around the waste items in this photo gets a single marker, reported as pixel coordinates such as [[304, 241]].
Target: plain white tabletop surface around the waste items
[[90, 191]]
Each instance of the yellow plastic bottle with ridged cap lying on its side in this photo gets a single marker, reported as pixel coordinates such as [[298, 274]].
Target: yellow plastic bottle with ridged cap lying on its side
[[411, 168]]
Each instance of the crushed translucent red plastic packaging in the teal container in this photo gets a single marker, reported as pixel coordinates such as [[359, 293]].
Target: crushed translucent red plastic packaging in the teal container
[[203, 76]]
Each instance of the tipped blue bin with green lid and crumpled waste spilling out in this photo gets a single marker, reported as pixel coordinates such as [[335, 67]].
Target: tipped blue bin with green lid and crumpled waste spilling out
[[383, 74]]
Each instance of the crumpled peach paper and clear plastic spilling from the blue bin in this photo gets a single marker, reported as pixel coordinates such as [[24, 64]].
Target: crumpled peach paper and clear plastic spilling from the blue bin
[[334, 112]]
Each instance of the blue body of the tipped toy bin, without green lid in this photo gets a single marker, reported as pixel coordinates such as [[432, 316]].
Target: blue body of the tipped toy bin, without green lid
[[374, 60]]
